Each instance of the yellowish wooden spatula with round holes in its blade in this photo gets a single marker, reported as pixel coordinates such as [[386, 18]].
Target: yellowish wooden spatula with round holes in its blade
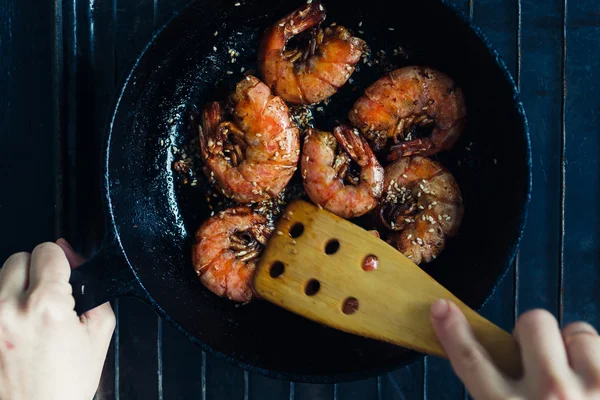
[[331, 271]]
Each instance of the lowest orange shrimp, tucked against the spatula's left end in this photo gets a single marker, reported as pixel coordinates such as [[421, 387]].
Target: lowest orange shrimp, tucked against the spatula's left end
[[226, 249]]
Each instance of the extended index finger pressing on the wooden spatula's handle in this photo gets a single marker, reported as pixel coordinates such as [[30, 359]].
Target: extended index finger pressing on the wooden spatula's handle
[[469, 359]]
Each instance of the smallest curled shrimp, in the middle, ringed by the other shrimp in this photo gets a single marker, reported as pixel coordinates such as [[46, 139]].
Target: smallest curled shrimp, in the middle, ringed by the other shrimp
[[326, 176]]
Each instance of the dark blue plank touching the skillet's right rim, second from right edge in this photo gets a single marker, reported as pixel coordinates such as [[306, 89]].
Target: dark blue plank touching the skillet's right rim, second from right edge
[[541, 91]]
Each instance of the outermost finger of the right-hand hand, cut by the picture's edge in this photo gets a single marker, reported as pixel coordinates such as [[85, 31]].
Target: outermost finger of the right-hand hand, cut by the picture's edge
[[583, 351]]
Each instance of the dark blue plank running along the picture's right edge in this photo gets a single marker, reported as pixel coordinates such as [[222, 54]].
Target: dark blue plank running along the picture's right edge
[[581, 252]]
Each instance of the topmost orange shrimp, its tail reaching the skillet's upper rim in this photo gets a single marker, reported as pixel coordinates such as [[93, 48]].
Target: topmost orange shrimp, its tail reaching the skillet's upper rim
[[314, 73]]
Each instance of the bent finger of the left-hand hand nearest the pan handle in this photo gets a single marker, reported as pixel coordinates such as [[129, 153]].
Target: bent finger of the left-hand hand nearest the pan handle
[[48, 264]]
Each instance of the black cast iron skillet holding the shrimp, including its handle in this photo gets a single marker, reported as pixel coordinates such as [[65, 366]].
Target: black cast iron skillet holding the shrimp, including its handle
[[152, 217]]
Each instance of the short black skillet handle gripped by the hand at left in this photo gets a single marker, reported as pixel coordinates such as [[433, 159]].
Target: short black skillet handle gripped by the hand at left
[[104, 277]]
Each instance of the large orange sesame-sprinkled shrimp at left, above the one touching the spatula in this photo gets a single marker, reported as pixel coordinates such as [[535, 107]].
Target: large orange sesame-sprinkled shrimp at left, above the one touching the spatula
[[252, 157]]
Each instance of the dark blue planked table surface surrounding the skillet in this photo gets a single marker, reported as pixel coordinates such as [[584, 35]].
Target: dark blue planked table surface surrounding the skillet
[[60, 65]]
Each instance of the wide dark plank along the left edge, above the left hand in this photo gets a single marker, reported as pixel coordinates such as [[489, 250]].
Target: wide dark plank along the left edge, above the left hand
[[27, 125]]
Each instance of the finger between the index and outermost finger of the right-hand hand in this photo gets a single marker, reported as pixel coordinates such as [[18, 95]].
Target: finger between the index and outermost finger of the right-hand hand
[[544, 355]]
